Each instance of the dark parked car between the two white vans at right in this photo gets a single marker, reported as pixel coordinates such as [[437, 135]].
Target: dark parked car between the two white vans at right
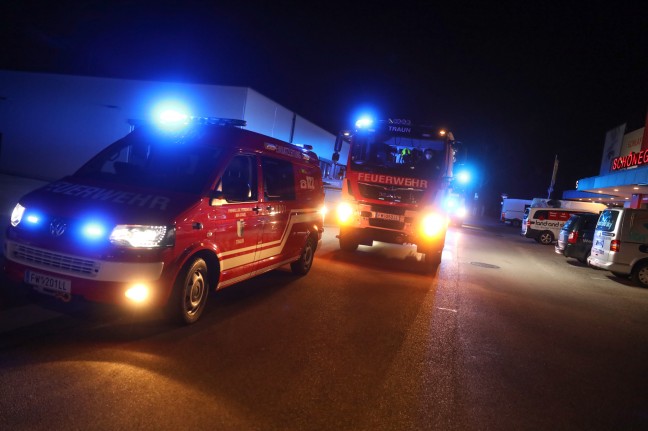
[[576, 236]]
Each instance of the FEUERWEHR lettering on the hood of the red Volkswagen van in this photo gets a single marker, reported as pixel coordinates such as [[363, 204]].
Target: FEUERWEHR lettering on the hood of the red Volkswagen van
[[109, 195]]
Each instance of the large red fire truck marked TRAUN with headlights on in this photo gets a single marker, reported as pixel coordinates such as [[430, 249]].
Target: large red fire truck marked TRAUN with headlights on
[[398, 178]]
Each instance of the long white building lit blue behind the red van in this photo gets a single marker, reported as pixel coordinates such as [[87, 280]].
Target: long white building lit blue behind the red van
[[51, 124]]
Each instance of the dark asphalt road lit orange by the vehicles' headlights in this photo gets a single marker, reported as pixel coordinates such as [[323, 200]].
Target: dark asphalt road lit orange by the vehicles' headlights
[[505, 335]]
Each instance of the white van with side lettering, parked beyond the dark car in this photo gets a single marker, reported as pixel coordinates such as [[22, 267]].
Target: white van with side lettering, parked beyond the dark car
[[544, 224]]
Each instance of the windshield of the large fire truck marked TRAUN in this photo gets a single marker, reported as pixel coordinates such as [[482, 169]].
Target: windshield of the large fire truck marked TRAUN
[[410, 157]]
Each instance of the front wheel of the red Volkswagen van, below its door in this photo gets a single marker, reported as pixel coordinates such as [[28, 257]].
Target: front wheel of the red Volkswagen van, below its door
[[190, 291]]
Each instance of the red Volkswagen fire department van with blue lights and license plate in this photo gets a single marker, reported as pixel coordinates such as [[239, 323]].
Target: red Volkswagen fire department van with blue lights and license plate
[[163, 215]]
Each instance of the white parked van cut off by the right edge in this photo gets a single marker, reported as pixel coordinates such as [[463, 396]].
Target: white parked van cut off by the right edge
[[621, 244]]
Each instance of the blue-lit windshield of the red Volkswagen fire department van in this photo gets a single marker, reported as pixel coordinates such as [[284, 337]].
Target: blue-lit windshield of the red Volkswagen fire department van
[[155, 160]]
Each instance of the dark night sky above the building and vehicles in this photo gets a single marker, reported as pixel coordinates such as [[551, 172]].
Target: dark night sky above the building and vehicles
[[517, 83]]
